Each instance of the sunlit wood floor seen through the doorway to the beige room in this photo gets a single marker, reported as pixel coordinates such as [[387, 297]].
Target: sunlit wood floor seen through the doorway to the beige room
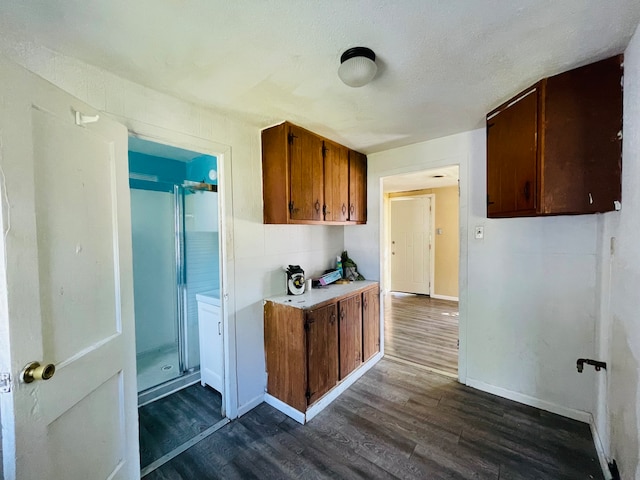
[[422, 330]]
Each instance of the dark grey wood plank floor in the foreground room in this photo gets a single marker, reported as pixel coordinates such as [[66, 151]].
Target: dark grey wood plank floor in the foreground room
[[397, 421]]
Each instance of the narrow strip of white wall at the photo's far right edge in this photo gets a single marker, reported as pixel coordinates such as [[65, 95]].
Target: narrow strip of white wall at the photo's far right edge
[[618, 413]]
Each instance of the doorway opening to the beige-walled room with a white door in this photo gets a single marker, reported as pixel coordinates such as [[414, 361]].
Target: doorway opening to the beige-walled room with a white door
[[420, 268]]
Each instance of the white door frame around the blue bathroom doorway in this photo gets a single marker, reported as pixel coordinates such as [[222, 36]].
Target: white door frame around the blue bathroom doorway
[[222, 152]]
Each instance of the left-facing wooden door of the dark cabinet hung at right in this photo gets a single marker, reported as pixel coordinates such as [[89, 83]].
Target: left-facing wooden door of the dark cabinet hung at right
[[512, 186]]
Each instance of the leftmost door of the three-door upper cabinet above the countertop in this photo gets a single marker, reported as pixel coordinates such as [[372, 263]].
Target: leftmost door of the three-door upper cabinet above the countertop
[[306, 175]]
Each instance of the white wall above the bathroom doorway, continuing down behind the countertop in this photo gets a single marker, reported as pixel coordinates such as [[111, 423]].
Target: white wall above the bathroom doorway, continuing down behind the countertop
[[255, 252]]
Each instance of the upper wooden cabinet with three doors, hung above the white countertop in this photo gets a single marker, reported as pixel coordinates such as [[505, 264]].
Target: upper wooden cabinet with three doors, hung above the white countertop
[[309, 179]]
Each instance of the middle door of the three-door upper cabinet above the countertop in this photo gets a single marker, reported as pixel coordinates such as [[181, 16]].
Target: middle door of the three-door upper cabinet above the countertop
[[336, 182]]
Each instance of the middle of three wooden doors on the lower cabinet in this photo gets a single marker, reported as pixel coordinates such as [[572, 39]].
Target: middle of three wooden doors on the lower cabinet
[[350, 334]]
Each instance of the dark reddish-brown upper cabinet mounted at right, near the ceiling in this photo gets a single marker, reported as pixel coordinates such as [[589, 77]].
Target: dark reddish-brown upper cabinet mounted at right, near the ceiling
[[556, 147]]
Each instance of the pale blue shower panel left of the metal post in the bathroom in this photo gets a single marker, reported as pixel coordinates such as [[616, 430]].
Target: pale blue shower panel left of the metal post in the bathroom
[[153, 221]]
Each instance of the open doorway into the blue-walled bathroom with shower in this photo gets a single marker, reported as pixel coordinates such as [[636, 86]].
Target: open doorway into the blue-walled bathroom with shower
[[177, 284]]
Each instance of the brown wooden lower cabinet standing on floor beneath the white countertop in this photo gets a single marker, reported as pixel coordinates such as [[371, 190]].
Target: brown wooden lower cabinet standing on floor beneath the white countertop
[[309, 350]]
